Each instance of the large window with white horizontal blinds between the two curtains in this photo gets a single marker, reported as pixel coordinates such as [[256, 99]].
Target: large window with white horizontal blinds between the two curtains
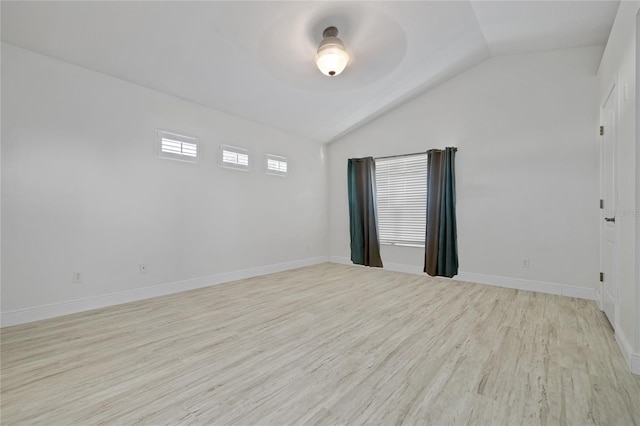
[[401, 184]]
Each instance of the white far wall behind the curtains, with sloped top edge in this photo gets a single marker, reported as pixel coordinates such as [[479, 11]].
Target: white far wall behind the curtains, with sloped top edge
[[527, 168]]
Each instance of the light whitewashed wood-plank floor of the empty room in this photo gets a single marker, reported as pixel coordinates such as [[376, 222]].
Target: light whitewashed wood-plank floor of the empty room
[[327, 344]]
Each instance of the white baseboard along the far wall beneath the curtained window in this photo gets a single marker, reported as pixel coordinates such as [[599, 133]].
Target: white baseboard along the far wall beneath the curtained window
[[516, 283]]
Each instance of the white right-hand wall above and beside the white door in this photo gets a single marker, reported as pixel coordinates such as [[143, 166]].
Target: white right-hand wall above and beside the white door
[[619, 67]]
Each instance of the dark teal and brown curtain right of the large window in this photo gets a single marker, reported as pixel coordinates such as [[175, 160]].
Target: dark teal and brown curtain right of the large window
[[441, 245]]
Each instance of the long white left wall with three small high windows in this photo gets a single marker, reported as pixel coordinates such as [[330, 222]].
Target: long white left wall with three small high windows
[[83, 191]]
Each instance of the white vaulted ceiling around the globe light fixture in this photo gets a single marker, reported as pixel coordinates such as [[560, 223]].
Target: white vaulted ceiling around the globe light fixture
[[254, 59]]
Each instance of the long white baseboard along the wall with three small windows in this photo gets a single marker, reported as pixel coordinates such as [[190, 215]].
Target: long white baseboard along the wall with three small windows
[[21, 316]]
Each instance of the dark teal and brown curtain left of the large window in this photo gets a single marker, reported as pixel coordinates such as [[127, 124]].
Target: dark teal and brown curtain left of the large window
[[363, 216]]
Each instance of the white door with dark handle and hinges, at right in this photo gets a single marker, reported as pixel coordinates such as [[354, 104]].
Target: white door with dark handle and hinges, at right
[[609, 186]]
